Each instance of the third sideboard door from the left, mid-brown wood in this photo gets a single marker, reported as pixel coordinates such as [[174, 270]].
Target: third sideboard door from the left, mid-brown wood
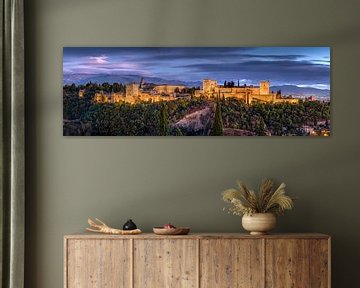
[[231, 263]]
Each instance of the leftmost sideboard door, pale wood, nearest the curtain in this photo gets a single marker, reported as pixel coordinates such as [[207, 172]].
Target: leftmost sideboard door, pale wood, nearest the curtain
[[98, 263]]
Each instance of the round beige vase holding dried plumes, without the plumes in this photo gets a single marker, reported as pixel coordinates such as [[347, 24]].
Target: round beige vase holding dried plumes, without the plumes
[[259, 223]]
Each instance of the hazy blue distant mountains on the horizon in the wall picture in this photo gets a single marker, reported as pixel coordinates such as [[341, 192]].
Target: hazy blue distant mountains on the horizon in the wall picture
[[286, 90]]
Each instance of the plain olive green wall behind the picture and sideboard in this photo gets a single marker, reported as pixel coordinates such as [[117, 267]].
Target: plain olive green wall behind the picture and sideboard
[[179, 180]]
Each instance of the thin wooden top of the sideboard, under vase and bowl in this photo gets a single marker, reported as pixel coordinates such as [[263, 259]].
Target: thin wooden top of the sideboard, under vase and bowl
[[87, 235]]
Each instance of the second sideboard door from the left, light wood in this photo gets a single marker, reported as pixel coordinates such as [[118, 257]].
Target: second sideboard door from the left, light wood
[[165, 263]]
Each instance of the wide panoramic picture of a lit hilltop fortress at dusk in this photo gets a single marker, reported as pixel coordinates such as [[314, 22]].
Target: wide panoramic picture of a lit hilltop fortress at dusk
[[196, 91]]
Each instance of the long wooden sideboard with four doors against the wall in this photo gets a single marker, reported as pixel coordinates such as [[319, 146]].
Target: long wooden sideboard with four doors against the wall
[[197, 260]]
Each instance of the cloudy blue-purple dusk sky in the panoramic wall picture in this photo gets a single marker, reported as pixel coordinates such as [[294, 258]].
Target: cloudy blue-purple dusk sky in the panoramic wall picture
[[302, 66]]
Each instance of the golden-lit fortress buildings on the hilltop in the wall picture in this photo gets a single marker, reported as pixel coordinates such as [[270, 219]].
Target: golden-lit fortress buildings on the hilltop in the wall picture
[[138, 92]]
